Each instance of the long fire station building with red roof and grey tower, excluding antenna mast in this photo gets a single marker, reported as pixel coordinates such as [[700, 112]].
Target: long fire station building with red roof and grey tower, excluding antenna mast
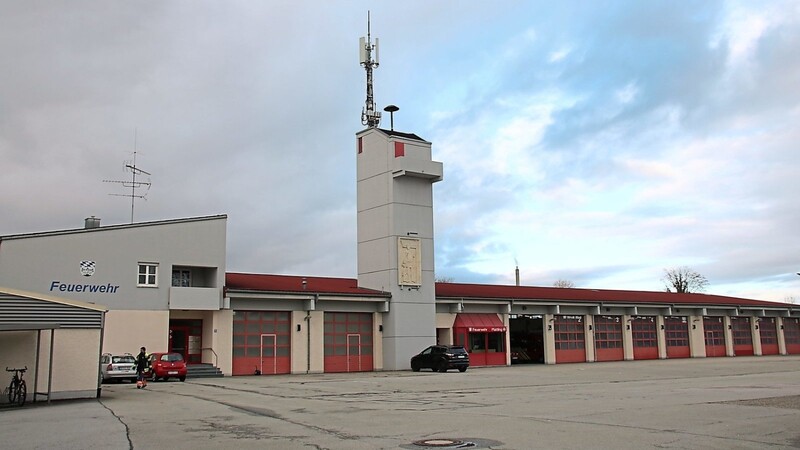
[[164, 285]]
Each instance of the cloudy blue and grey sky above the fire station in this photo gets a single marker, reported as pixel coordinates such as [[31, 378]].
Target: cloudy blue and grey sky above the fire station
[[597, 142]]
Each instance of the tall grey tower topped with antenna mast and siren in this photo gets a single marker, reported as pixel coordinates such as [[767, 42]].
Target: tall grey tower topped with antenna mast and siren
[[395, 174]]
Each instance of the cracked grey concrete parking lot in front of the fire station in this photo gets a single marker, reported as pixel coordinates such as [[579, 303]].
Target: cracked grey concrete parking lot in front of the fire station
[[713, 403]]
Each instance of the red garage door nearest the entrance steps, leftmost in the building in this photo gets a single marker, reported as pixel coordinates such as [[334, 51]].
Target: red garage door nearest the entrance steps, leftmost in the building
[[261, 342]]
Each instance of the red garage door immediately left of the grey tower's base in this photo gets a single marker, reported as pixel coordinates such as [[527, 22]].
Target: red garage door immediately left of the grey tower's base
[[348, 342]]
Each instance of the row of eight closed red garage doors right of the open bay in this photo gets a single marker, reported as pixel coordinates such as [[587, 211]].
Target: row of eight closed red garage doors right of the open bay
[[570, 339]]
